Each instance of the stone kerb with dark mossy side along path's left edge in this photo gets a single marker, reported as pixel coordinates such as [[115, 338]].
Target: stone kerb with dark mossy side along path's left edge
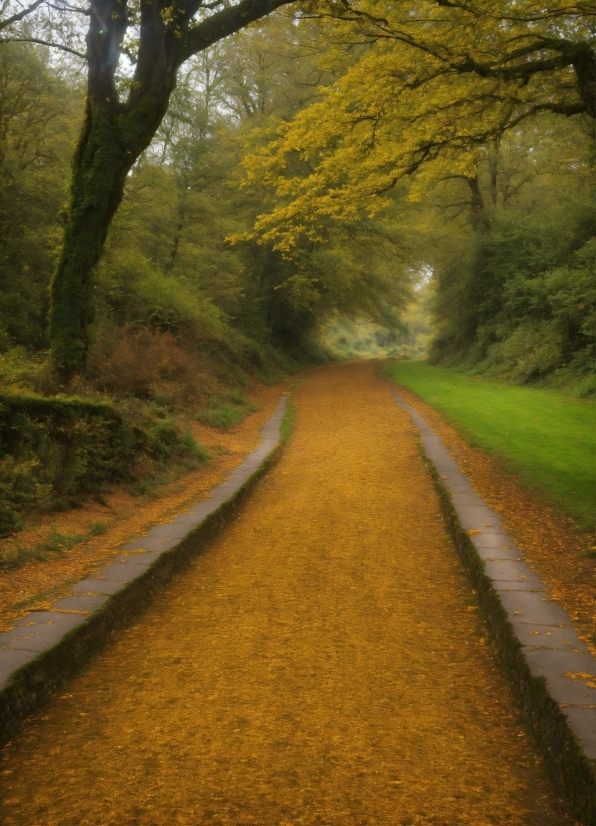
[[46, 646]]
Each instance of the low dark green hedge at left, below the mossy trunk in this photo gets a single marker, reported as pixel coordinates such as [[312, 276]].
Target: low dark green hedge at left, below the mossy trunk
[[55, 450]]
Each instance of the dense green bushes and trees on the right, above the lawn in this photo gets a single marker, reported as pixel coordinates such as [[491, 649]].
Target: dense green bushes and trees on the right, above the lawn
[[515, 293]]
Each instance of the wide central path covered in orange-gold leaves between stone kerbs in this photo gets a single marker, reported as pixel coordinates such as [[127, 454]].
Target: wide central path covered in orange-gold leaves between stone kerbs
[[320, 665]]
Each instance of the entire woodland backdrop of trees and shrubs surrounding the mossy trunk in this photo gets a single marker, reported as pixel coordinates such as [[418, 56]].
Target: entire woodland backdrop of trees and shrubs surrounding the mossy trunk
[[320, 187]]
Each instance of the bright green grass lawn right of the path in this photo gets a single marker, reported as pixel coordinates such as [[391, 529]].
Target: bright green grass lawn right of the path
[[547, 438]]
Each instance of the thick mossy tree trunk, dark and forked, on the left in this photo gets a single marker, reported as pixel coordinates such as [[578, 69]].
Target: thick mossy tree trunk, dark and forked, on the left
[[115, 132]]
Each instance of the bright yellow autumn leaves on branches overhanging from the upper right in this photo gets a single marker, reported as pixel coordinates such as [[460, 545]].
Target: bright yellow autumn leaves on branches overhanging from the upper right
[[426, 87]]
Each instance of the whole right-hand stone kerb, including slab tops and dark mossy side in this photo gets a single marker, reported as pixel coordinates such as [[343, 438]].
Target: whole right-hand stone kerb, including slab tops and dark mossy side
[[535, 639]]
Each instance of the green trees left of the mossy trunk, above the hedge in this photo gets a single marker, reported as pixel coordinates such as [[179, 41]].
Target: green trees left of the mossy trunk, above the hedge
[[39, 118]]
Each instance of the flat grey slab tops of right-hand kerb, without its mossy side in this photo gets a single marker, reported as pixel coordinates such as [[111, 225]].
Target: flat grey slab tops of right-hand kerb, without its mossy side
[[550, 644]]
